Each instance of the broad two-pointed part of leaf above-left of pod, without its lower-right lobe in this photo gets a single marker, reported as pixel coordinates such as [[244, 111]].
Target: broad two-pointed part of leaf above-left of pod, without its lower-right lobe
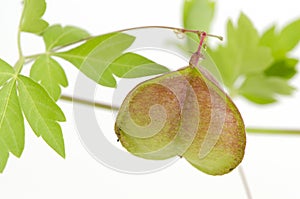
[[94, 56]]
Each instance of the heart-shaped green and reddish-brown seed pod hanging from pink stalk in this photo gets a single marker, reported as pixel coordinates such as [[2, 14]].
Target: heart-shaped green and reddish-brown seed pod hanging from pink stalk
[[183, 113]]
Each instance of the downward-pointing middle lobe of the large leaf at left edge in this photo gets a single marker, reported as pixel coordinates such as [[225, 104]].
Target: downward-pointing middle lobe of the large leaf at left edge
[[11, 119]]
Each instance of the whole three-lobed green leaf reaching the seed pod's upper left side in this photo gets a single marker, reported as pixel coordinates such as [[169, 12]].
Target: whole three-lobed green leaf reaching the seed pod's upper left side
[[101, 57]]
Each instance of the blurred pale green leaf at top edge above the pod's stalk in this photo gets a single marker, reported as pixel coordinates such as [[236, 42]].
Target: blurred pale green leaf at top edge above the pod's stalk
[[198, 14]]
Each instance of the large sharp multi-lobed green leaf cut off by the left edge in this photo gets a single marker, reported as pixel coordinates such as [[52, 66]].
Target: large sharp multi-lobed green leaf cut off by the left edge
[[21, 94]]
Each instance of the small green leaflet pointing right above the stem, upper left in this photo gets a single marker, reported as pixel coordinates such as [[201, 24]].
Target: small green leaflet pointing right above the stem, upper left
[[57, 36]]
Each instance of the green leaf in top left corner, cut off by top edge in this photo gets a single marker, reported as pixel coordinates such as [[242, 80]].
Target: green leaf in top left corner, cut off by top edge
[[31, 19]]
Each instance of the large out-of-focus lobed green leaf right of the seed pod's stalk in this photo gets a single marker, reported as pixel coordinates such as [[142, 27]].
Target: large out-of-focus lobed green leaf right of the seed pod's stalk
[[245, 57]]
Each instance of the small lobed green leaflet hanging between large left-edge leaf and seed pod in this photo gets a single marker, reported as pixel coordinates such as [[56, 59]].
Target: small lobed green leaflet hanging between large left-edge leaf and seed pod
[[50, 74]]
